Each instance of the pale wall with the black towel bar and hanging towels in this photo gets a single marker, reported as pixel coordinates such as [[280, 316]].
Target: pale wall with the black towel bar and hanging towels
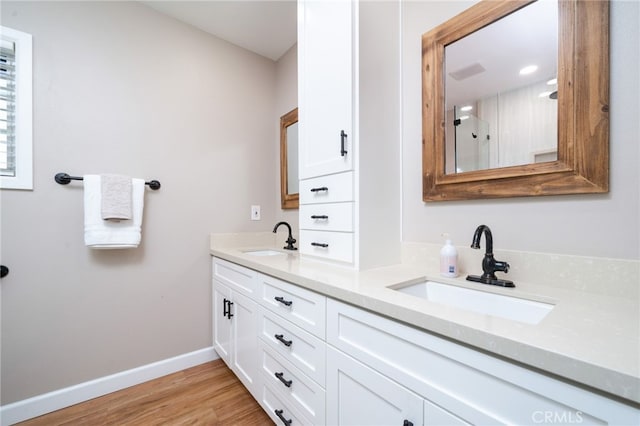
[[120, 88]]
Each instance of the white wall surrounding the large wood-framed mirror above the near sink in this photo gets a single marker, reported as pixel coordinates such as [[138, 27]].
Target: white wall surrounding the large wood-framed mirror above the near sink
[[605, 225]]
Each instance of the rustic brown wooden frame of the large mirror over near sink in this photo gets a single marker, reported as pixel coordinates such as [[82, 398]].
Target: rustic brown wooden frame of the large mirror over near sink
[[583, 109]]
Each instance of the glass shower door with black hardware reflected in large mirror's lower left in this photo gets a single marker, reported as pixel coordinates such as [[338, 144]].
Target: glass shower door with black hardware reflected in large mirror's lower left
[[472, 140]]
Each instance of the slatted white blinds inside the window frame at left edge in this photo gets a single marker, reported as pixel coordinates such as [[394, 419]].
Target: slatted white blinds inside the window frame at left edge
[[7, 108]]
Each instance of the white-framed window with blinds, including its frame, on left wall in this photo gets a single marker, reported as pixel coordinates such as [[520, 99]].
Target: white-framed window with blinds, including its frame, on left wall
[[16, 164]]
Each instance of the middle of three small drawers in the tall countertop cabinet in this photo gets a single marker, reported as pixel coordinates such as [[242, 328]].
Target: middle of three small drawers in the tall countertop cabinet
[[327, 217]]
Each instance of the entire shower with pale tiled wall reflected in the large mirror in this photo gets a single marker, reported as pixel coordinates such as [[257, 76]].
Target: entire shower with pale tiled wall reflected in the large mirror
[[511, 128]]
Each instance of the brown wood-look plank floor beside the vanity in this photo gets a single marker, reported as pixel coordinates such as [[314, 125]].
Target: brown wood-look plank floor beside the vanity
[[208, 394]]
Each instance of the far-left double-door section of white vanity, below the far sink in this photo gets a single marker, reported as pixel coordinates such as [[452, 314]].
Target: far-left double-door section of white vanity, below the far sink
[[235, 320]]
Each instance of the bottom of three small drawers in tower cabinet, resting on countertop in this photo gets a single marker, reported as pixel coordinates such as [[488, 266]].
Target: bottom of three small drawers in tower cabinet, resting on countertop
[[327, 244]]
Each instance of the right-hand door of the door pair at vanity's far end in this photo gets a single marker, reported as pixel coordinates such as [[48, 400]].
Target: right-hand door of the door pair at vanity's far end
[[245, 341]]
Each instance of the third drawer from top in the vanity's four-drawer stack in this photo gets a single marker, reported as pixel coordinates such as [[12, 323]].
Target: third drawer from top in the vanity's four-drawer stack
[[295, 387]]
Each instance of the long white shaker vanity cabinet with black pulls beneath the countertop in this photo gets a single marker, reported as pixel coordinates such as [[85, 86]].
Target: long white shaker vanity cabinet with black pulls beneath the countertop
[[314, 360]]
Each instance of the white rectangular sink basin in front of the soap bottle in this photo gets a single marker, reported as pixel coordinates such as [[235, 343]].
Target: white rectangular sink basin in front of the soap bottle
[[512, 308]]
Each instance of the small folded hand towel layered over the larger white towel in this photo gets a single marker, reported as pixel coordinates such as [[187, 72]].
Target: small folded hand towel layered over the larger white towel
[[116, 198]]
